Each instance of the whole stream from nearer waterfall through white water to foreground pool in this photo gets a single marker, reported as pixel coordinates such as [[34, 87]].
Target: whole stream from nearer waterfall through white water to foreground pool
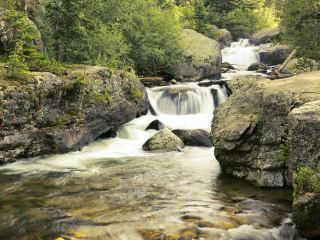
[[112, 189]]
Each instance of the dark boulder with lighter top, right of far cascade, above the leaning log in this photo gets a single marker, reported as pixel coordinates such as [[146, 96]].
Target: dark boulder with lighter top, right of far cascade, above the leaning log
[[275, 55]]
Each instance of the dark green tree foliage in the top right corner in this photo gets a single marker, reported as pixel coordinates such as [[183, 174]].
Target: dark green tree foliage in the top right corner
[[301, 20]]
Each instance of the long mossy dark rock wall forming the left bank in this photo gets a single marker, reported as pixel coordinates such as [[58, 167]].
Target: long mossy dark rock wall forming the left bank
[[55, 115]]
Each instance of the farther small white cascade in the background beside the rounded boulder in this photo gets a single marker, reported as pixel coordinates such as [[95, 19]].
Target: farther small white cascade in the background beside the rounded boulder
[[241, 54]]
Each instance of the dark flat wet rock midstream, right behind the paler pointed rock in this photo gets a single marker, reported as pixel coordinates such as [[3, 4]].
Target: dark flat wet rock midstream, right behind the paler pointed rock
[[197, 137]]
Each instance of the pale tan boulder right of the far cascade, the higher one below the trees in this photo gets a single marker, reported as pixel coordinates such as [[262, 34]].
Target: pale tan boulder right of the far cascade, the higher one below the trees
[[267, 35]]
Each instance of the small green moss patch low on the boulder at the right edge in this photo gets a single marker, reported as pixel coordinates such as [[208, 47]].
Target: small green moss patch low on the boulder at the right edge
[[307, 180]]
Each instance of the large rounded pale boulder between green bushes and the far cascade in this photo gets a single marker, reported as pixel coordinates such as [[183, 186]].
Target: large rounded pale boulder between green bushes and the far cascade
[[201, 57]]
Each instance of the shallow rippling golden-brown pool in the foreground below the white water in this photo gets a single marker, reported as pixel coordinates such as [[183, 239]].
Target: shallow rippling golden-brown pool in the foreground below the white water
[[172, 194]]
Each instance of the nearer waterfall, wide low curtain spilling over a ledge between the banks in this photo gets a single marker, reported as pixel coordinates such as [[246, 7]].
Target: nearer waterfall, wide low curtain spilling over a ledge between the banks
[[186, 99]]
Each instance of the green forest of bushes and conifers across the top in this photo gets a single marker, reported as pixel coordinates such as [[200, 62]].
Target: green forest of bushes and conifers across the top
[[143, 35]]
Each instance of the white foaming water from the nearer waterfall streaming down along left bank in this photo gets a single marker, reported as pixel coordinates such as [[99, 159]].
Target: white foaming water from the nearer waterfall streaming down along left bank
[[187, 106]]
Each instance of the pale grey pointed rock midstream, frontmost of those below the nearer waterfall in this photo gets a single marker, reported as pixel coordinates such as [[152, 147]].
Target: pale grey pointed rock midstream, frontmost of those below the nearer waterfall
[[164, 140]]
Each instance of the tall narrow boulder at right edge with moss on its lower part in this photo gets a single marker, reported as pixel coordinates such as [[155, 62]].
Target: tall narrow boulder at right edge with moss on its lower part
[[304, 166]]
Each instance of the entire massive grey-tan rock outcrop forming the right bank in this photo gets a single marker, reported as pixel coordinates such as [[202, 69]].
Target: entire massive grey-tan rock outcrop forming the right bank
[[268, 133]]
